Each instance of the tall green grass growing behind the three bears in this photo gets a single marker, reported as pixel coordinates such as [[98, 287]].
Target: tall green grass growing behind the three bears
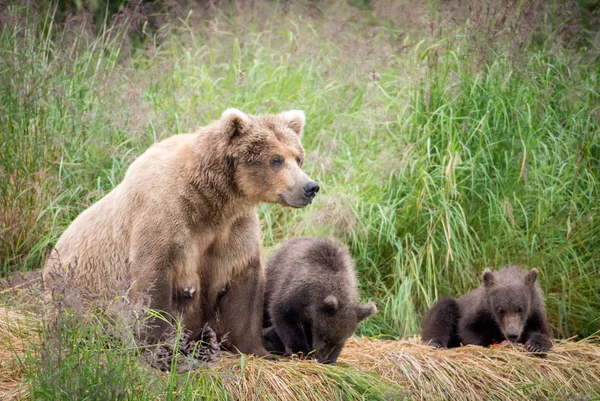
[[434, 162]]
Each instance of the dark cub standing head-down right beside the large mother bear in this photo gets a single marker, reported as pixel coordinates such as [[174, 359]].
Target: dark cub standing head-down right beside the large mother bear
[[311, 299]]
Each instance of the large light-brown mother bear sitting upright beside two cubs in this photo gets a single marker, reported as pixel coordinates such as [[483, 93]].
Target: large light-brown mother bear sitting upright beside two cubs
[[183, 223]]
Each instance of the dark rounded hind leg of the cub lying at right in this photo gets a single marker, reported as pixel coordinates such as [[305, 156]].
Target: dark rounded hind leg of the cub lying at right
[[440, 324]]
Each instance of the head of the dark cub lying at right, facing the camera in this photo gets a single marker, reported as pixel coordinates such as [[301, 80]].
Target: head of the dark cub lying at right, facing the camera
[[509, 298]]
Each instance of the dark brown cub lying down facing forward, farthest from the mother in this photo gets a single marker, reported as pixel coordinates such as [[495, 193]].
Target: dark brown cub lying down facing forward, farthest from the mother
[[508, 306]]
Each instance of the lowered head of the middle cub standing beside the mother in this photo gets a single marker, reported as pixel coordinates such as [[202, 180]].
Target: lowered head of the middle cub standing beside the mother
[[334, 323]]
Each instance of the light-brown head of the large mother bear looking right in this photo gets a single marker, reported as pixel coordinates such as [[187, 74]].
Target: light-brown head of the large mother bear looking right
[[268, 157]]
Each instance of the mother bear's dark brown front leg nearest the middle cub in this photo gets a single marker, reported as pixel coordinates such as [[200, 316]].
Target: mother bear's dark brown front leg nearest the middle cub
[[241, 311]]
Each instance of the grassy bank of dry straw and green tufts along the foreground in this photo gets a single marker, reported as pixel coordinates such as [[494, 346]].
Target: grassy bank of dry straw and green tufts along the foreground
[[84, 363]]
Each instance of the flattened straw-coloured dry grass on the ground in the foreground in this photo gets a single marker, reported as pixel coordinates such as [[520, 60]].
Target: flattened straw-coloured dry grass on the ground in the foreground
[[570, 371]]
